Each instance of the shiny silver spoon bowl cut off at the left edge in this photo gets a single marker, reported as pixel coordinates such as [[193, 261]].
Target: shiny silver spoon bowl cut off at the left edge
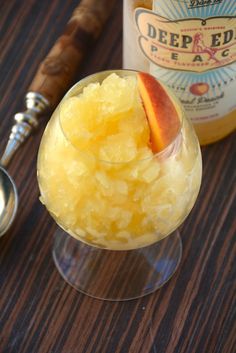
[[8, 201]]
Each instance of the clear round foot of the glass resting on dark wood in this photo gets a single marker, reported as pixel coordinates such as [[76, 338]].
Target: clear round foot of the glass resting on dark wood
[[116, 275]]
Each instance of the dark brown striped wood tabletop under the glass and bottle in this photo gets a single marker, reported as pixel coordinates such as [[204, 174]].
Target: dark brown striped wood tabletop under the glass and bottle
[[39, 313]]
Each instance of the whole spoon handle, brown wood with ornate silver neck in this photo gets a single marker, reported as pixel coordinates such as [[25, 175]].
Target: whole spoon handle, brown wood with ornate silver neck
[[57, 71]]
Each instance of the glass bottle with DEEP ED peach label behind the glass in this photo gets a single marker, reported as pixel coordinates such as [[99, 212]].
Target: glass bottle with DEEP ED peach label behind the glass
[[191, 46]]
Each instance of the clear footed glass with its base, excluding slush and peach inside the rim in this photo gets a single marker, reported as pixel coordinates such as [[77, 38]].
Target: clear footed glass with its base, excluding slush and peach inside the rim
[[117, 238]]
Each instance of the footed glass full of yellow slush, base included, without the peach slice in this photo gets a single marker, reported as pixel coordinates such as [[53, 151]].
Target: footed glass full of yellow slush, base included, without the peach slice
[[117, 203]]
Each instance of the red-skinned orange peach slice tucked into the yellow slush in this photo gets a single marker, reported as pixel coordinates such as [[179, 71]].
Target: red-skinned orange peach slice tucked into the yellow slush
[[161, 113]]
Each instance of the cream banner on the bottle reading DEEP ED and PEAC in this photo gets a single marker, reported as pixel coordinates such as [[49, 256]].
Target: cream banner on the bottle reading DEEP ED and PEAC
[[194, 44]]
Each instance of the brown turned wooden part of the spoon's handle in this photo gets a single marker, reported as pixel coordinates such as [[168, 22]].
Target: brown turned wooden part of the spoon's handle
[[58, 69]]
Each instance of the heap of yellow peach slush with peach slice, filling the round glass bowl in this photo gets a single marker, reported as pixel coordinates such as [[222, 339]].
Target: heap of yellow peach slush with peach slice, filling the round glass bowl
[[103, 175]]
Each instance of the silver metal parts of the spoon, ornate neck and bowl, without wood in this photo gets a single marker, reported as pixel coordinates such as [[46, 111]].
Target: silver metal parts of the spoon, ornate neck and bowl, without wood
[[25, 123]]
